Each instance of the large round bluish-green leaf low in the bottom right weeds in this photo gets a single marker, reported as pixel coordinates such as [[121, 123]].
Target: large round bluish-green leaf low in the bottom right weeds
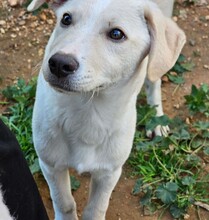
[[167, 193]]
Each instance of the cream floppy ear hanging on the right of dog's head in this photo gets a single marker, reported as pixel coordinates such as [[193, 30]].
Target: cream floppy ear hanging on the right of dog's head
[[167, 40]]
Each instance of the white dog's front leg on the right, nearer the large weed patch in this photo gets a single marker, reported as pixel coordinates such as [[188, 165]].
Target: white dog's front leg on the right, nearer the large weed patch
[[101, 187]]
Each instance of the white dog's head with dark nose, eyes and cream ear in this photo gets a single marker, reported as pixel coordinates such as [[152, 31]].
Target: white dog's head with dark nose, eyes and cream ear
[[97, 43]]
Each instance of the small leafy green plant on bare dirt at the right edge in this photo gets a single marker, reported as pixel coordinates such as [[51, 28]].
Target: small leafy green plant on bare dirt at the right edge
[[198, 100]]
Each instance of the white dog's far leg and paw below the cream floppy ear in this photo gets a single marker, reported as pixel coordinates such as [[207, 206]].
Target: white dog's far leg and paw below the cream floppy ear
[[154, 98]]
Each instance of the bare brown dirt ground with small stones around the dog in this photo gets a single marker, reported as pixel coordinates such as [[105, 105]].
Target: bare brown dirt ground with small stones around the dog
[[22, 41]]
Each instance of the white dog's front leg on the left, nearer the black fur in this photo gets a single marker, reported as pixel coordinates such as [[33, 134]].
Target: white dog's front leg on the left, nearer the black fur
[[60, 190]]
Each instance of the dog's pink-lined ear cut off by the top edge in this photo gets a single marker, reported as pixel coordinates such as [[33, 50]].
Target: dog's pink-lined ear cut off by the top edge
[[35, 4]]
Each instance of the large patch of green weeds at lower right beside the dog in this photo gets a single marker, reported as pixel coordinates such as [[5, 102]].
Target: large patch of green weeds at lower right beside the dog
[[170, 168]]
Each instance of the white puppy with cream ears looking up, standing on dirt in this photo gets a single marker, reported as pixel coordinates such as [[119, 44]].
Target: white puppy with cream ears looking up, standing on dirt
[[96, 61]]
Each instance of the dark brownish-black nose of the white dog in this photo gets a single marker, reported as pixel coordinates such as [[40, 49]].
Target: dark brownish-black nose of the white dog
[[62, 65]]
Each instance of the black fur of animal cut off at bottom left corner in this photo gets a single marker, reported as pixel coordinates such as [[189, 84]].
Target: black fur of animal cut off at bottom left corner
[[20, 193]]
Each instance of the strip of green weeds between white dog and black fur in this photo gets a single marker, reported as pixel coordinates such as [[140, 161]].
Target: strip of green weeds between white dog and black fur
[[19, 114]]
